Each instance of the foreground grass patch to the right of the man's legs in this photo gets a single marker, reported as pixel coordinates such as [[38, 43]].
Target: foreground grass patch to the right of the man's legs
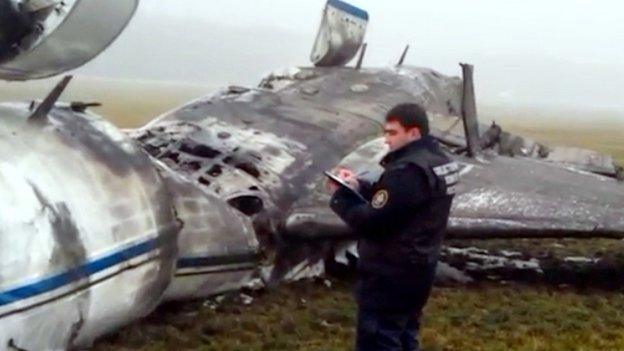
[[521, 318]]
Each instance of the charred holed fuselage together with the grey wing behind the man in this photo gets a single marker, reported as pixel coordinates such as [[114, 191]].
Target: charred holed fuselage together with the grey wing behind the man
[[263, 150]]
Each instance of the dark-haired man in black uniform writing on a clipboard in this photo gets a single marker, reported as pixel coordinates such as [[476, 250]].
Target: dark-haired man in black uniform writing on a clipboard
[[400, 230]]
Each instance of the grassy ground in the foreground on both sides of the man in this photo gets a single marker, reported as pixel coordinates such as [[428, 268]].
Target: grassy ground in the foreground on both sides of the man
[[309, 316]]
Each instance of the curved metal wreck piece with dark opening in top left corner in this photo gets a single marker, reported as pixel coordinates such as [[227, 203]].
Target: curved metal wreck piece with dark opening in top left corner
[[39, 39]]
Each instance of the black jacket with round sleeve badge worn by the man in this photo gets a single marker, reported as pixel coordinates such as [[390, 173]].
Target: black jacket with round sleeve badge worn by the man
[[404, 223]]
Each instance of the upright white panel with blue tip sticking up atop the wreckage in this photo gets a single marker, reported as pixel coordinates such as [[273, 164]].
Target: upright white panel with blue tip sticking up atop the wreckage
[[340, 35]]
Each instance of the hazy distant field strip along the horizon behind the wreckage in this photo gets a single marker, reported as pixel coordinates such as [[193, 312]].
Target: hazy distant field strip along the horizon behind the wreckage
[[153, 97]]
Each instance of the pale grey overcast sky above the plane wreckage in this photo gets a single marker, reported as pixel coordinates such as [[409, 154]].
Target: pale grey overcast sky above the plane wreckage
[[560, 53]]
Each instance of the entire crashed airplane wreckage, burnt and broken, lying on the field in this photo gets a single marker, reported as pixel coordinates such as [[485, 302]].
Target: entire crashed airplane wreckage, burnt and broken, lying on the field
[[98, 229]]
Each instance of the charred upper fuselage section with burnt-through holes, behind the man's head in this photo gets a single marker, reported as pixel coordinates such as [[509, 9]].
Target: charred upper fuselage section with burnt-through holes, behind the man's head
[[263, 150]]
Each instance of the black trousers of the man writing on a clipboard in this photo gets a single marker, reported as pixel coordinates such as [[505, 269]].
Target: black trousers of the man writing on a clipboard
[[389, 309]]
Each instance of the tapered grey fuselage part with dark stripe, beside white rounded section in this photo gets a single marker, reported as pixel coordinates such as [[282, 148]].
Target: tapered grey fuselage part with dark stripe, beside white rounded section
[[218, 249]]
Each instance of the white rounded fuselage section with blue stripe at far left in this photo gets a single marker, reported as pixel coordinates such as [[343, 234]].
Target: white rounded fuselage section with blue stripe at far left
[[87, 230]]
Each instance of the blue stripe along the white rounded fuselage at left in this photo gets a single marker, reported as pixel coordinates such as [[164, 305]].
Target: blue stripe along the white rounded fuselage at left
[[54, 282]]
